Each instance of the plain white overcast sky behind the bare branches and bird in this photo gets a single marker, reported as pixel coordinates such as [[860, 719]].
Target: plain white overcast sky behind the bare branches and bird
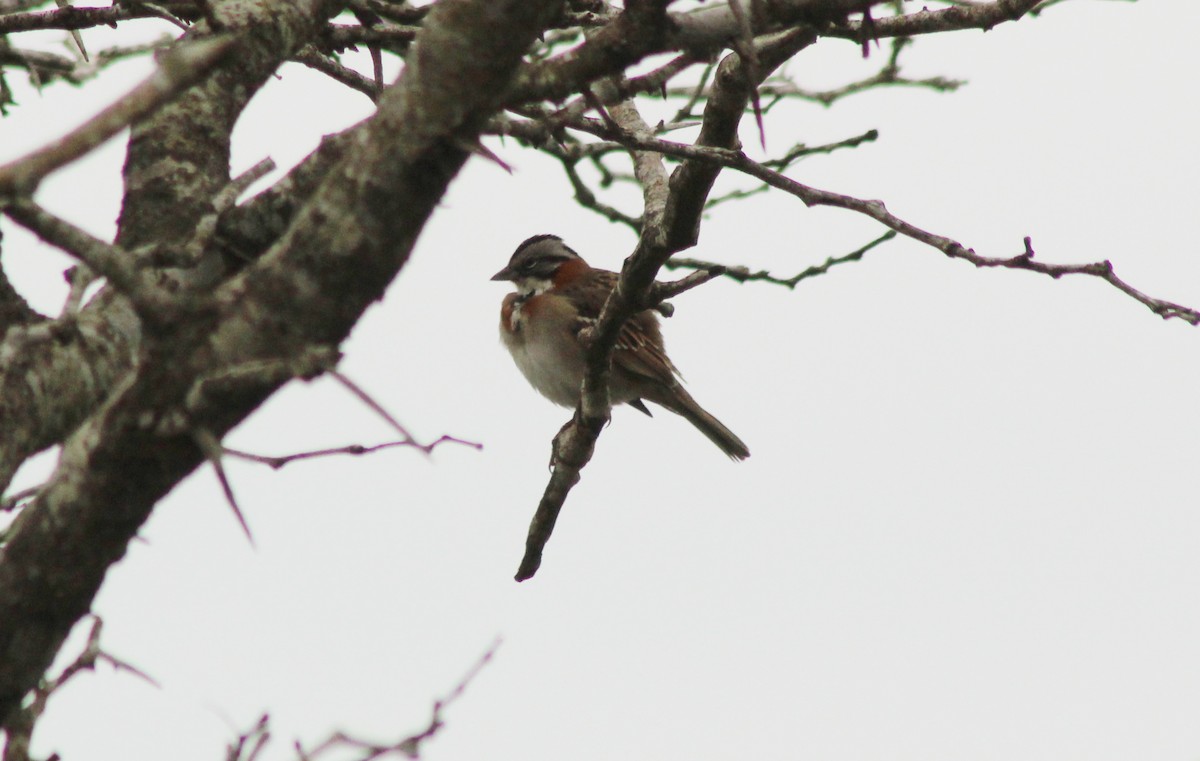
[[969, 529]]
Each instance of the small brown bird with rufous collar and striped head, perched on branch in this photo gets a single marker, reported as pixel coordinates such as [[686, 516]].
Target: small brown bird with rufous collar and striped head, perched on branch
[[557, 296]]
